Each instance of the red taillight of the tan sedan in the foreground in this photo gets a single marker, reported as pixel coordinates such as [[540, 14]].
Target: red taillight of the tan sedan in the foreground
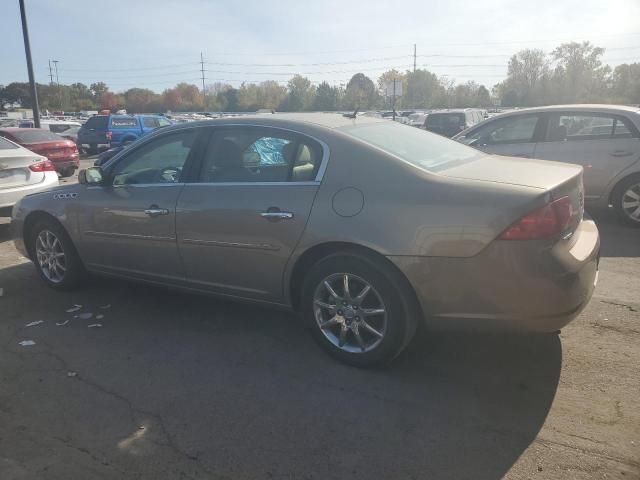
[[544, 222]]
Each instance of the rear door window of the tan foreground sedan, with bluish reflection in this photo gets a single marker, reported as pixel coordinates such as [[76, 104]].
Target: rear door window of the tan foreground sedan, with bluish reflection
[[253, 154]]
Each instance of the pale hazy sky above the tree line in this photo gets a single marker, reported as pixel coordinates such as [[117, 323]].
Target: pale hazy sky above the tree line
[[157, 43]]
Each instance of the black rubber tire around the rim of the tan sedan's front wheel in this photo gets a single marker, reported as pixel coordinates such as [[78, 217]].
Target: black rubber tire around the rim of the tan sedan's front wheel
[[74, 272]]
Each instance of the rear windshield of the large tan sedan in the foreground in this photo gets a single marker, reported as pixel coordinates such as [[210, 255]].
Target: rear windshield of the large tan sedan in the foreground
[[423, 149]]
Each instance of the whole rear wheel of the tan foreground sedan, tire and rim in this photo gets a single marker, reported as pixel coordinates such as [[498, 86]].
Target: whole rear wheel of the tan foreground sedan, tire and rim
[[357, 309]]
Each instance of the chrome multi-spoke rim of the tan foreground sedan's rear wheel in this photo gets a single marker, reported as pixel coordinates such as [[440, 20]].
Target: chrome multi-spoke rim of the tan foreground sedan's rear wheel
[[355, 319]]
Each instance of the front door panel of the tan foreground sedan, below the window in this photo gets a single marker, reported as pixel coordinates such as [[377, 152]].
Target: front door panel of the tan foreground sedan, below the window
[[118, 236]]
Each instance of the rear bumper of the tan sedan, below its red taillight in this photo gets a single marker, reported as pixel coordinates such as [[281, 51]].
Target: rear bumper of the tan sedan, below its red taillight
[[530, 285]]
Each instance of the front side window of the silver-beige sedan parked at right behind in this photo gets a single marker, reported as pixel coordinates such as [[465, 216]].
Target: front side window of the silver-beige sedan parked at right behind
[[505, 131]]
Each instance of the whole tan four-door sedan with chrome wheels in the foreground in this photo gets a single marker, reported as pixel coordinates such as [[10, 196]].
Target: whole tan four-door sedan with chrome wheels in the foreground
[[302, 211]]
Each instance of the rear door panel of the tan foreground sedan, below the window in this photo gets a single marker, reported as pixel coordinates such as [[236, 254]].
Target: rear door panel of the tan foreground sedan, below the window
[[229, 247]]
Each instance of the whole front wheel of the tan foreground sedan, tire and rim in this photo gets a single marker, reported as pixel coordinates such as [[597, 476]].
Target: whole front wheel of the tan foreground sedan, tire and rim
[[55, 256]]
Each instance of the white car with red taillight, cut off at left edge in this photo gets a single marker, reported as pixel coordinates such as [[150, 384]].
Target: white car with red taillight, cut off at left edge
[[22, 172]]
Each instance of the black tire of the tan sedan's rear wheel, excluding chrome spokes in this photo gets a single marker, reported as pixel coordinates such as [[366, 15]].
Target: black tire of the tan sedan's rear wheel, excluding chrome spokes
[[388, 285]]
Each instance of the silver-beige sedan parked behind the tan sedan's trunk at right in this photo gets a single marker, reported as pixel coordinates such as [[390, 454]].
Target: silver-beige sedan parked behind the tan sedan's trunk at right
[[604, 139]]
